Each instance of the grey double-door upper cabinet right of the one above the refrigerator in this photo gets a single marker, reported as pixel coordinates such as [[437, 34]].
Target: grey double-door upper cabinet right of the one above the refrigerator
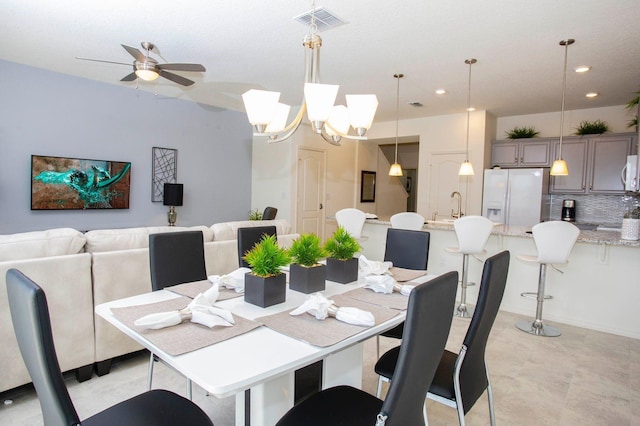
[[595, 164]]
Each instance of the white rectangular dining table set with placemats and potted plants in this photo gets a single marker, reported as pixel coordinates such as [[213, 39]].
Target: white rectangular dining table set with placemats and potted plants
[[262, 360]]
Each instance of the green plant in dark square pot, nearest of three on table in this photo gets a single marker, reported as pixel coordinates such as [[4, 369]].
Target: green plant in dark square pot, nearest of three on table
[[265, 285]]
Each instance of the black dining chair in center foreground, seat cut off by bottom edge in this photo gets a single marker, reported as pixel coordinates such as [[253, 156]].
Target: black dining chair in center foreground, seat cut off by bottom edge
[[427, 328]]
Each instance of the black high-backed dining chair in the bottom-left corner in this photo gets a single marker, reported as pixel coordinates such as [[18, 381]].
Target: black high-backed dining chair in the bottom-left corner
[[32, 325]]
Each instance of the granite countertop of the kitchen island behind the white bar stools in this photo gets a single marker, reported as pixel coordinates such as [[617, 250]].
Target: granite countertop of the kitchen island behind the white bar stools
[[589, 237]]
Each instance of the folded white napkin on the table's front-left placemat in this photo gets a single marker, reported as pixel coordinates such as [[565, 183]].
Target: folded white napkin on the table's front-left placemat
[[200, 311]]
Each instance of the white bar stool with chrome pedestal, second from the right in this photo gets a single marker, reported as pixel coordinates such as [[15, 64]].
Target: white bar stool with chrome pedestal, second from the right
[[473, 233]]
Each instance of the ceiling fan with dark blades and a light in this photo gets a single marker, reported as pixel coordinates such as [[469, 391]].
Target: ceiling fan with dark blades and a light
[[147, 68]]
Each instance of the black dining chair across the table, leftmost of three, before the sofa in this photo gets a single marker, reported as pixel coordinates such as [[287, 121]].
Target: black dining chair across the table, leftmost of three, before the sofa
[[175, 258]]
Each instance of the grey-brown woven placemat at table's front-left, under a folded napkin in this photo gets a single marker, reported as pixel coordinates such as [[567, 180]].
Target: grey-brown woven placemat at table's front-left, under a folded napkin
[[184, 337]]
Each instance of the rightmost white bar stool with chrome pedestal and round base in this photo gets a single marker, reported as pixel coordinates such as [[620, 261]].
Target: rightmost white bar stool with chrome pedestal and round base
[[554, 241]]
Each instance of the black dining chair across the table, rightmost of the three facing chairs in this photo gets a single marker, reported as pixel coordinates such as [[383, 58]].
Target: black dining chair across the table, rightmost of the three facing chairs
[[409, 250]]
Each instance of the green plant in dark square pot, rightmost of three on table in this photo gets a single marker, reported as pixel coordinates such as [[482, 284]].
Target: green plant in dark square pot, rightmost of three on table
[[342, 267]]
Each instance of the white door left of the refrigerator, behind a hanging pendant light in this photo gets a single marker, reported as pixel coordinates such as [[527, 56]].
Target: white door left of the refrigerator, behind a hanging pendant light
[[443, 181]]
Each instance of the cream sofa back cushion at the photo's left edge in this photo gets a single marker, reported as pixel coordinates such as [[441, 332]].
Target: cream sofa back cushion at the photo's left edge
[[31, 245]]
